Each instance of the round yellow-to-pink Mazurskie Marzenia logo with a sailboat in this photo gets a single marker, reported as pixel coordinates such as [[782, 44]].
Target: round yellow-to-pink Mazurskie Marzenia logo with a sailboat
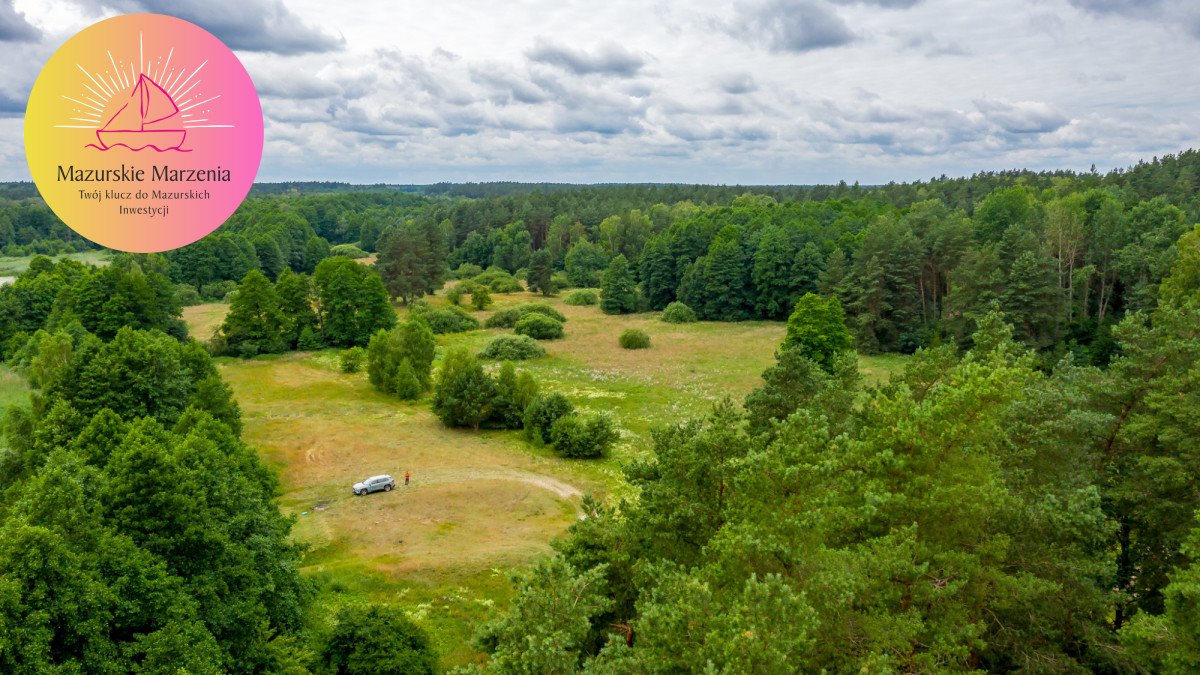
[[143, 133]]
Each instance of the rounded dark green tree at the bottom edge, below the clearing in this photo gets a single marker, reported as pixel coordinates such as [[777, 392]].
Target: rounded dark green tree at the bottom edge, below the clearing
[[377, 640]]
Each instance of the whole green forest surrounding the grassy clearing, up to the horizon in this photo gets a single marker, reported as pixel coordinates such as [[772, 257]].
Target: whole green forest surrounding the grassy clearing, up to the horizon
[[1021, 497]]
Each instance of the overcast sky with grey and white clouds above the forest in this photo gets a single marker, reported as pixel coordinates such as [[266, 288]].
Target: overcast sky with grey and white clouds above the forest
[[752, 92]]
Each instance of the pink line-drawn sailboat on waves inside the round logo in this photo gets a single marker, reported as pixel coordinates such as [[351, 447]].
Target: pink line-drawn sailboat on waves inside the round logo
[[151, 120]]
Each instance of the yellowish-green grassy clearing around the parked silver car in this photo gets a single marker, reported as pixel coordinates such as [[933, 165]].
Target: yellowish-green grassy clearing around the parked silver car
[[482, 505]]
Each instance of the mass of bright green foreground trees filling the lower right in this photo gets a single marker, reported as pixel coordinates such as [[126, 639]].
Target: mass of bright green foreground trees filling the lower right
[[979, 513]]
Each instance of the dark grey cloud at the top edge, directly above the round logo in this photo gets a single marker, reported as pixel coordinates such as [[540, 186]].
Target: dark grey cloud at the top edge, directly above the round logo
[[249, 26]]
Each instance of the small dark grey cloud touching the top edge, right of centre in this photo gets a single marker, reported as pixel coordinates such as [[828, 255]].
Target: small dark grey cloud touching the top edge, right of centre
[[791, 26]]
